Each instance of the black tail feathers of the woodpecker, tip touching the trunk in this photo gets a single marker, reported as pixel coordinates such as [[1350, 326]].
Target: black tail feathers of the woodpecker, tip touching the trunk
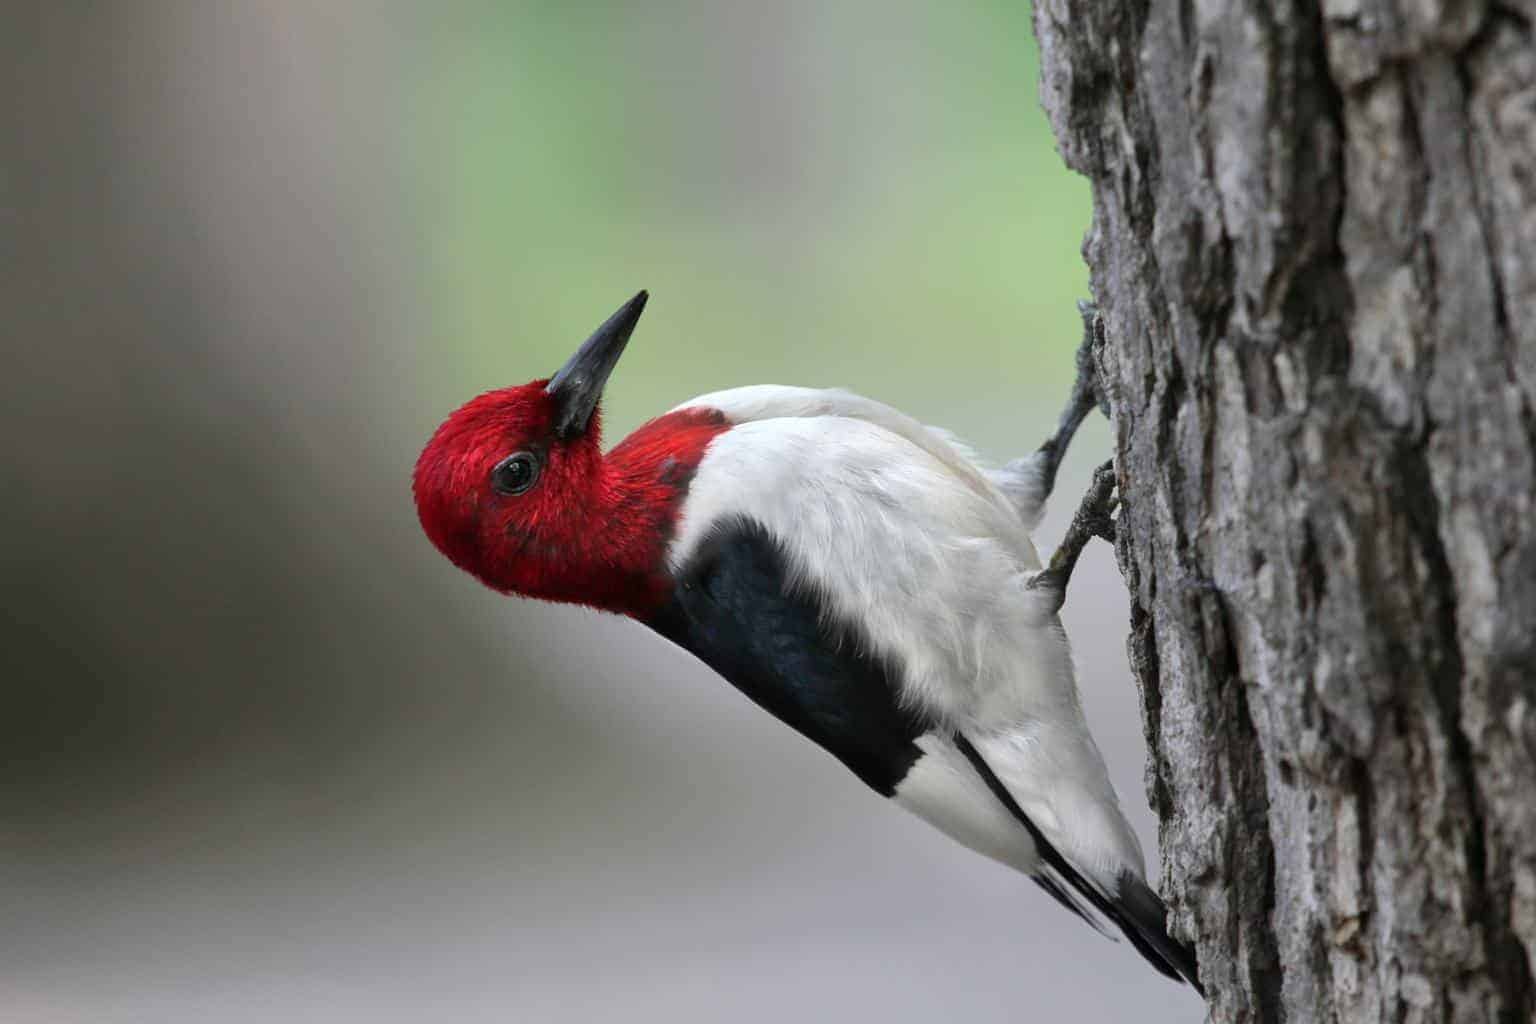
[[1134, 908]]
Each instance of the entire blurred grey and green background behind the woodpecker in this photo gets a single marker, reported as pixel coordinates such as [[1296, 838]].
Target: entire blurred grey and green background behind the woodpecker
[[266, 755]]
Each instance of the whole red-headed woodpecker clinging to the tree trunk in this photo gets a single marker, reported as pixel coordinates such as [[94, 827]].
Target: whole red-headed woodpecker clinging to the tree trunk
[[858, 575]]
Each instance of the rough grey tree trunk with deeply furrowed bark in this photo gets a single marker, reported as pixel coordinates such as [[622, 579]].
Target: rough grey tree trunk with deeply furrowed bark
[[1316, 249]]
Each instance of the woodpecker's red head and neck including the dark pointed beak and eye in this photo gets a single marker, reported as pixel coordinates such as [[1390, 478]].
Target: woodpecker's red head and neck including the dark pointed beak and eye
[[515, 491]]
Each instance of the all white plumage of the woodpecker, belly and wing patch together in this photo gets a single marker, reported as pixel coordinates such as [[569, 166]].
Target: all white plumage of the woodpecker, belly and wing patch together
[[905, 537]]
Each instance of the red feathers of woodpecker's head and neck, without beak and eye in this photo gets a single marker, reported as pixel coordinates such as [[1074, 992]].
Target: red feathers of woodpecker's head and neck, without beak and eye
[[594, 530]]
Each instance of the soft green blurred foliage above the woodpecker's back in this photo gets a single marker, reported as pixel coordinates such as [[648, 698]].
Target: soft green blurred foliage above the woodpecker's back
[[889, 217]]
